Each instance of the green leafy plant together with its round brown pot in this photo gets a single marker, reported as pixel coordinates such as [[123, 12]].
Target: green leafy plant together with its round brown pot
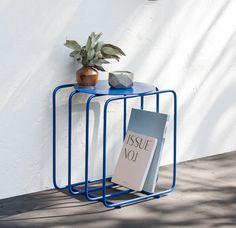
[[92, 56]]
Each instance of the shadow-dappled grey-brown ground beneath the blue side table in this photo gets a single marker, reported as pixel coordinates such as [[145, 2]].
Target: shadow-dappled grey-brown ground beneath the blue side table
[[205, 197]]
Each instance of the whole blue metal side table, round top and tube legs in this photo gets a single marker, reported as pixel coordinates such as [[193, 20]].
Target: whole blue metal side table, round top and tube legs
[[102, 89]]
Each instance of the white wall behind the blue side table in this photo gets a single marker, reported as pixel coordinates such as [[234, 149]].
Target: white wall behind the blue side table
[[185, 45]]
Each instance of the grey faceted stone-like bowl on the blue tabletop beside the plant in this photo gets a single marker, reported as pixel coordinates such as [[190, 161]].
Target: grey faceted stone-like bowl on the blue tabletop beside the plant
[[121, 79]]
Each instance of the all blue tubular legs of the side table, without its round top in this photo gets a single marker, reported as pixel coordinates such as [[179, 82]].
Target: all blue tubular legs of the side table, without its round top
[[87, 190]]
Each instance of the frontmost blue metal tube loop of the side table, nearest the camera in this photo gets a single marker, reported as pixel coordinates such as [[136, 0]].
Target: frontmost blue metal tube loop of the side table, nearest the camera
[[110, 204]]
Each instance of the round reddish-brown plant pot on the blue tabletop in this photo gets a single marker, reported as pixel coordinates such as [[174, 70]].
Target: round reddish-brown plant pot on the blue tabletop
[[87, 77]]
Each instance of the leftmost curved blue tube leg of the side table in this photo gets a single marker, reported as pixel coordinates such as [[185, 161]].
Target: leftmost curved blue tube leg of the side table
[[54, 133]]
